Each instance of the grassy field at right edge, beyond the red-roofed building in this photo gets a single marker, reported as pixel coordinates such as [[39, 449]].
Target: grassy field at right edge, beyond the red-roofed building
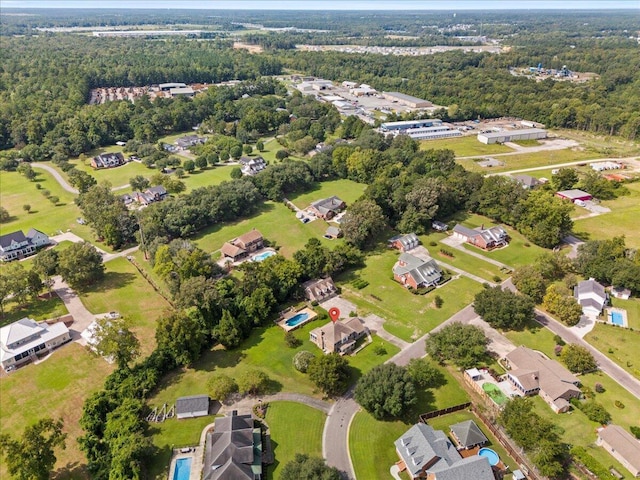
[[622, 220]]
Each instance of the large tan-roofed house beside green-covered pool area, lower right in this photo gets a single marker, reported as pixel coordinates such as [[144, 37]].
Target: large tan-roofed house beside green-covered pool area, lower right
[[532, 373]]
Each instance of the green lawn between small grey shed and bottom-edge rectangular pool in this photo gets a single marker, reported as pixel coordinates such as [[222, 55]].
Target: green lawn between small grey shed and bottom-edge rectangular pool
[[173, 433]]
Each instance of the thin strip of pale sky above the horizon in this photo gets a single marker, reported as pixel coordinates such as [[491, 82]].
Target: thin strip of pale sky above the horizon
[[395, 5]]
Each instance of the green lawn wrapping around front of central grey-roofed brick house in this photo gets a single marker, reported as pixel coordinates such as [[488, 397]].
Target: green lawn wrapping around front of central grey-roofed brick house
[[408, 316]]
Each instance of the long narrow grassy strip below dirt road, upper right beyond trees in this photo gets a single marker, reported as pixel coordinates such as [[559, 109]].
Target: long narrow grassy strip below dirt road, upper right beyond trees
[[531, 160]]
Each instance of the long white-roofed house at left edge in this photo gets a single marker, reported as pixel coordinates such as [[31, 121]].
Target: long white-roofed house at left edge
[[27, 339]]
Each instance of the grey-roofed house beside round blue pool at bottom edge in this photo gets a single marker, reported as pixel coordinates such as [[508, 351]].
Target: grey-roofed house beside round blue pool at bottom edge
[[428, 454]]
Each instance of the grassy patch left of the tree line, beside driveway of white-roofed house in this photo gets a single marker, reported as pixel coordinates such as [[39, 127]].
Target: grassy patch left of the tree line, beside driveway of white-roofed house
[[125, 291]]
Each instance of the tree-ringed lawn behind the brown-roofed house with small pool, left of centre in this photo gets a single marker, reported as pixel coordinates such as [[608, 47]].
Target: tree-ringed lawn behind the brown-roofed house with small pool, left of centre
[[276, 223]]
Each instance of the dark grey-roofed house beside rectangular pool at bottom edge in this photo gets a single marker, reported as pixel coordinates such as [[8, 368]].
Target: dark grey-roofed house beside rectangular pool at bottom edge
[[233, 449]]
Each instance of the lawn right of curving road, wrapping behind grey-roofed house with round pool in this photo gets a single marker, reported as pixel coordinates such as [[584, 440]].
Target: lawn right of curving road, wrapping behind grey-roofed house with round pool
[[373, 439]]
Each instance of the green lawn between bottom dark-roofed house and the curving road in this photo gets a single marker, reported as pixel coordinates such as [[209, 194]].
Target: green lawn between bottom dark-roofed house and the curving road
[[294, 428]]
